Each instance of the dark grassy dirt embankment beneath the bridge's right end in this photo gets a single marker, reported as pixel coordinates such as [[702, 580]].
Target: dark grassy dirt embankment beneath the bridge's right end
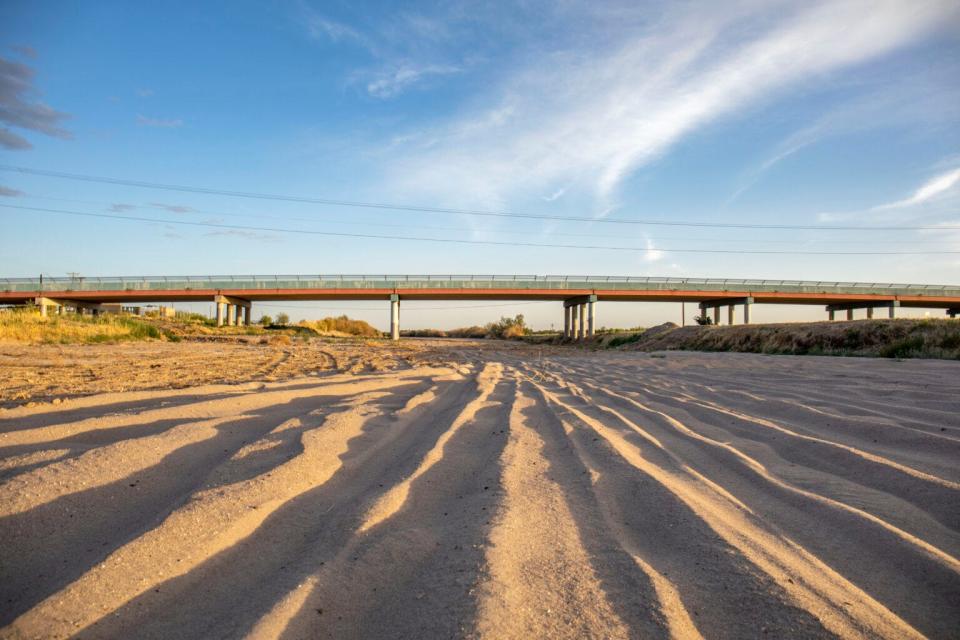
[[876, 338]]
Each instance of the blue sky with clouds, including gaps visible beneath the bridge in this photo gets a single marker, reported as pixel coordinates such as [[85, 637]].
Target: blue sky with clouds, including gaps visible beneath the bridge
[[741, 113]]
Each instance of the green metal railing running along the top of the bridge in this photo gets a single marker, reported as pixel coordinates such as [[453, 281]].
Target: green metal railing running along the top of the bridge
[[598, 283]]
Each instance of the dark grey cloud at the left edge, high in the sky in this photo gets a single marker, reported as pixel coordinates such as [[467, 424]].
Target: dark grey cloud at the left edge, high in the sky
[[18, 110]]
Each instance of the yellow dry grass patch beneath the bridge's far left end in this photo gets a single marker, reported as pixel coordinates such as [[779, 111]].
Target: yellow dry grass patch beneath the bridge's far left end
[[30, 327]]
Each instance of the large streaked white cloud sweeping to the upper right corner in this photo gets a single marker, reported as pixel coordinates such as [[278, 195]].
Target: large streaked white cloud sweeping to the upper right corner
[[593, 115]]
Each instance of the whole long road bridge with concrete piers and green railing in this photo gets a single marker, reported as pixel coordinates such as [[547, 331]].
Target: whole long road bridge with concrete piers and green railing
[[579, 294]]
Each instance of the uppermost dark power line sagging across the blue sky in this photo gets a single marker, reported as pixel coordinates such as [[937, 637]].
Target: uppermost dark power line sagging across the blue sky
[[425, 209]]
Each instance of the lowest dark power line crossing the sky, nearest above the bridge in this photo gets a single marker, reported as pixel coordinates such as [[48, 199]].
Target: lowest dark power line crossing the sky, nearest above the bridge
[[500, 243]]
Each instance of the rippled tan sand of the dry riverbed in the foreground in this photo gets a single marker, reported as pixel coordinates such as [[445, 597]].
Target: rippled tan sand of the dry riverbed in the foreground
[[466, 489]]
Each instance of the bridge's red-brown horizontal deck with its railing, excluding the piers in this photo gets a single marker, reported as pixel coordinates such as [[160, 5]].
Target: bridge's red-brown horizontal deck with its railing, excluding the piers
[[472, 287]]
